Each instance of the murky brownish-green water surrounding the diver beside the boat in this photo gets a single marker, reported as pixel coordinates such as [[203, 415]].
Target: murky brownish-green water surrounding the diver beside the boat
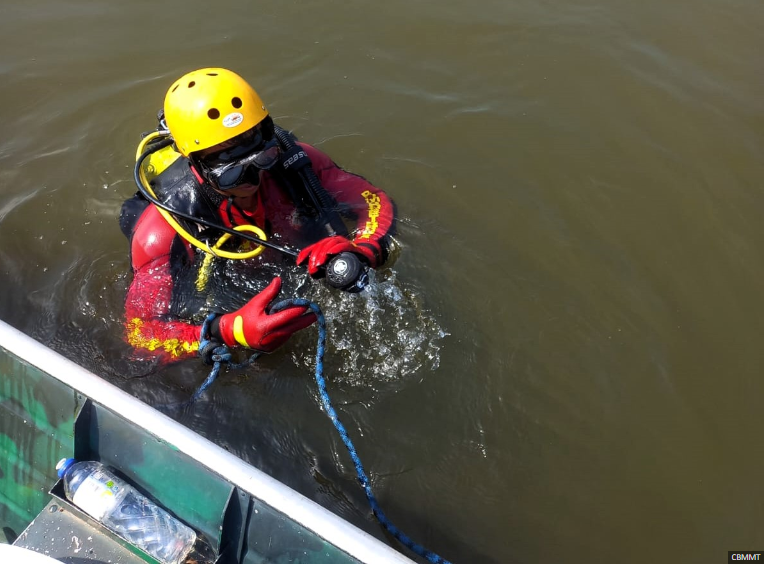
[[579, 186]]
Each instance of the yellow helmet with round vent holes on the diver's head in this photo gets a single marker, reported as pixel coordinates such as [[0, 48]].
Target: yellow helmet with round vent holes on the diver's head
[[208, 106]]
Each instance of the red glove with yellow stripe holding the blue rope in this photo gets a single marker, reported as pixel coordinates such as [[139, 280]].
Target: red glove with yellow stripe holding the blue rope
[[252, 327]]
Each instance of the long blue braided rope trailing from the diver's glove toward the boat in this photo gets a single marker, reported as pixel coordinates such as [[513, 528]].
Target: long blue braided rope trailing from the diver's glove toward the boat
[[330, 411]]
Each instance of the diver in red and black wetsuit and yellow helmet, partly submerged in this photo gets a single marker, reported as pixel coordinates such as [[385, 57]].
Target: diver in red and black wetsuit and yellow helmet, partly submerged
[[236, 169]]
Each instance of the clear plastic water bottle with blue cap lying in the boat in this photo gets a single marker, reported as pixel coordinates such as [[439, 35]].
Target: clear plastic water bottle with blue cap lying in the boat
[[96, 490]]
